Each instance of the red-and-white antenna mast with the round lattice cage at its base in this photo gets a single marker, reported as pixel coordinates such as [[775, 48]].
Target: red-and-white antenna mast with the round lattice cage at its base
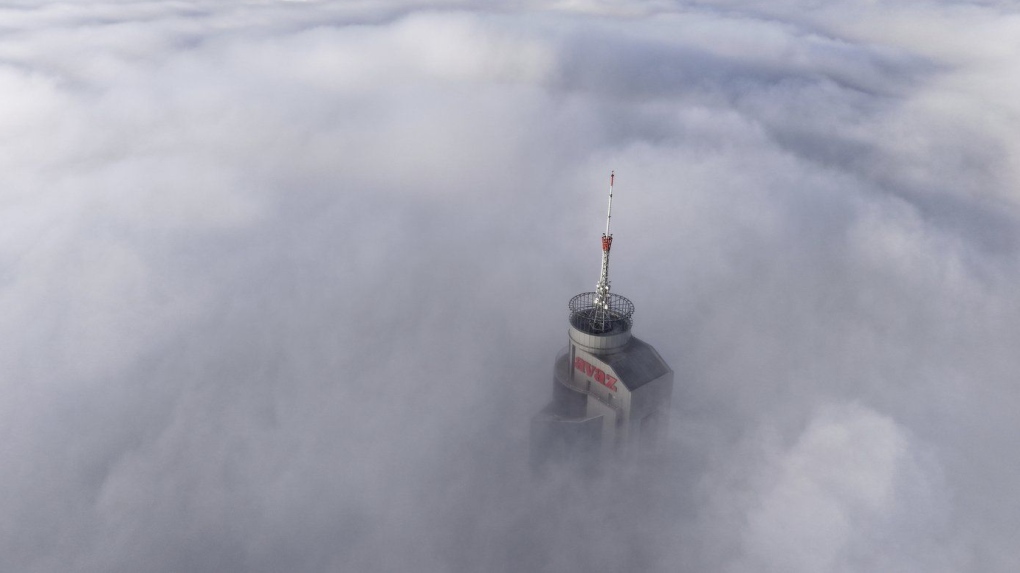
[[602, 312]]
